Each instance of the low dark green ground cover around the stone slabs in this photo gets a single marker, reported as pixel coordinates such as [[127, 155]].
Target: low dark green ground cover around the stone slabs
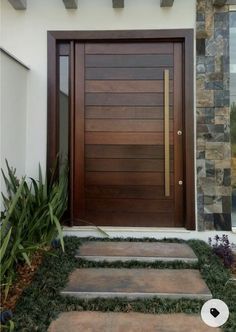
[[41, 302]]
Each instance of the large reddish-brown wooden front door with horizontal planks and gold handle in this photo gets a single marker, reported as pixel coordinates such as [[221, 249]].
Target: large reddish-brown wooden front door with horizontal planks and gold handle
[[120, 152]]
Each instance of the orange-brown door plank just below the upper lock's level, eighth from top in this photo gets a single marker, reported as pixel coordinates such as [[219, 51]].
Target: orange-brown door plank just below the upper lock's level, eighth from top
[[125, 138]]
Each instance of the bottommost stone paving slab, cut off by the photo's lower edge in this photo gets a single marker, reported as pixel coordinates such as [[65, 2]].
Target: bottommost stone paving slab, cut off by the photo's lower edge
[[88, 321]]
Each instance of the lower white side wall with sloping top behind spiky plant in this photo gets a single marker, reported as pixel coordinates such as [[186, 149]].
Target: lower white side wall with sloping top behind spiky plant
[[13, 88]]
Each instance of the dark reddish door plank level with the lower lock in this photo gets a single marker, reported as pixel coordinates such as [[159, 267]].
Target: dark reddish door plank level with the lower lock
[[125, 178]]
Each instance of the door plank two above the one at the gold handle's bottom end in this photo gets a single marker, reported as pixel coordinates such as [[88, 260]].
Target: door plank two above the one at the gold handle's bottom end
[[126, 165]]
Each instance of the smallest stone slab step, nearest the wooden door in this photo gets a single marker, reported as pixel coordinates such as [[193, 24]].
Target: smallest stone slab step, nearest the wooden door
[[139, 251]]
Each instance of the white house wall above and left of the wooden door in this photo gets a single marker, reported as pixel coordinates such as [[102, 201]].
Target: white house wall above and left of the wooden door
[[24, 34]]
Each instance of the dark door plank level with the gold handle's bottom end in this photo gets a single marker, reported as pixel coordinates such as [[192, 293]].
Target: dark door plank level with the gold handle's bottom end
[[125, 191]]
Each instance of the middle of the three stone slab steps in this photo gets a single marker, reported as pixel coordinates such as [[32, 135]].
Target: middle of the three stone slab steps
[[136, 283]]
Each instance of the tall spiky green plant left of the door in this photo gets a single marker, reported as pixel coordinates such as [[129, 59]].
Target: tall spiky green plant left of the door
[[30, 220]]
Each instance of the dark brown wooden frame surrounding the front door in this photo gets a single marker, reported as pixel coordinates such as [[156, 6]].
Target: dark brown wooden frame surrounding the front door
[[62, 42]]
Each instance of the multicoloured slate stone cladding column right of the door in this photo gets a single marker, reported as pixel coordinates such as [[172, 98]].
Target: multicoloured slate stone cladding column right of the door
[[213, 116]]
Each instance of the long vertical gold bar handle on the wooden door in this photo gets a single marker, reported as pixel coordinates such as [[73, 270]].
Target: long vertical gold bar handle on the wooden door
[[167, 133]]
